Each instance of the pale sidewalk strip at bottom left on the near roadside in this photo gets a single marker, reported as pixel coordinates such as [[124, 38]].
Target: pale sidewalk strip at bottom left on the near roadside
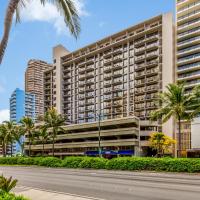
[[37, 194]]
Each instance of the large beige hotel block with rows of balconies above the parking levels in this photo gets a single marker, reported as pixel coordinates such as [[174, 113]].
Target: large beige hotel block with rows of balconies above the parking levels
[[117, 77]]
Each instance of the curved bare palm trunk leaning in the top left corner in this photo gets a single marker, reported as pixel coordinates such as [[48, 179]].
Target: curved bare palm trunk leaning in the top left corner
[[12, 5]]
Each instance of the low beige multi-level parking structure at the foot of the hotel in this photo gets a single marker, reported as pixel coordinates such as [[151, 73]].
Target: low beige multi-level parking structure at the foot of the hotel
[[77, 139]]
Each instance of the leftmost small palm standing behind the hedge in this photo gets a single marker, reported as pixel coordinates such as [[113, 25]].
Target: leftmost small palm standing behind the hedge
[[10, 134]]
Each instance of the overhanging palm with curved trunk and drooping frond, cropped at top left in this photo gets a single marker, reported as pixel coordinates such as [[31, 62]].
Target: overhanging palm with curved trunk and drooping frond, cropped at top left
[[65, 7]]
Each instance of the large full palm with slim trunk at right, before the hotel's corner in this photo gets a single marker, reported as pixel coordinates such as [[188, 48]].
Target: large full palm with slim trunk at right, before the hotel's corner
[[175, 103]]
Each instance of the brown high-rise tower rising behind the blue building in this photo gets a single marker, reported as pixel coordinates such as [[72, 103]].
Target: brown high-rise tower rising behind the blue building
[[34, 83]]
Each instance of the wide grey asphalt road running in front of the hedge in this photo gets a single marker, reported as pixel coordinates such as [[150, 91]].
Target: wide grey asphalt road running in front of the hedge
[[109, 185]]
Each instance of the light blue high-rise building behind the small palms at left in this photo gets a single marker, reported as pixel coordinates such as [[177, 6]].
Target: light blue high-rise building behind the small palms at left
[[21, 104]]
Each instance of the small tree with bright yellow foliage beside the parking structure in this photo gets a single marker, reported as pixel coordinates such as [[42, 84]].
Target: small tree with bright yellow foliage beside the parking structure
[[160, 142]]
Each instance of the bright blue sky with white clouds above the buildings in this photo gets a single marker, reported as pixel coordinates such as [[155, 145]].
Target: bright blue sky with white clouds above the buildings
[[42, 28]]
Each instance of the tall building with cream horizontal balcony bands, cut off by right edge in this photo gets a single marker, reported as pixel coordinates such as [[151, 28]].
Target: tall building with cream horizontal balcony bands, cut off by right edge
[[188, 55]]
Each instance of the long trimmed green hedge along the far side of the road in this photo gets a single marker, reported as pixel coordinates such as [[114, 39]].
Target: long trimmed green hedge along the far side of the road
[[123, 163]]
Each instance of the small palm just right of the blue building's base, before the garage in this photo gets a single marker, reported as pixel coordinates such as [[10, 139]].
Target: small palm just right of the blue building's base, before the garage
[[28, 127]]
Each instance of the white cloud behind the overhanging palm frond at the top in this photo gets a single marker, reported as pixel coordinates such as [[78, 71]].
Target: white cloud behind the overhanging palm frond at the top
[[34, 11]]
